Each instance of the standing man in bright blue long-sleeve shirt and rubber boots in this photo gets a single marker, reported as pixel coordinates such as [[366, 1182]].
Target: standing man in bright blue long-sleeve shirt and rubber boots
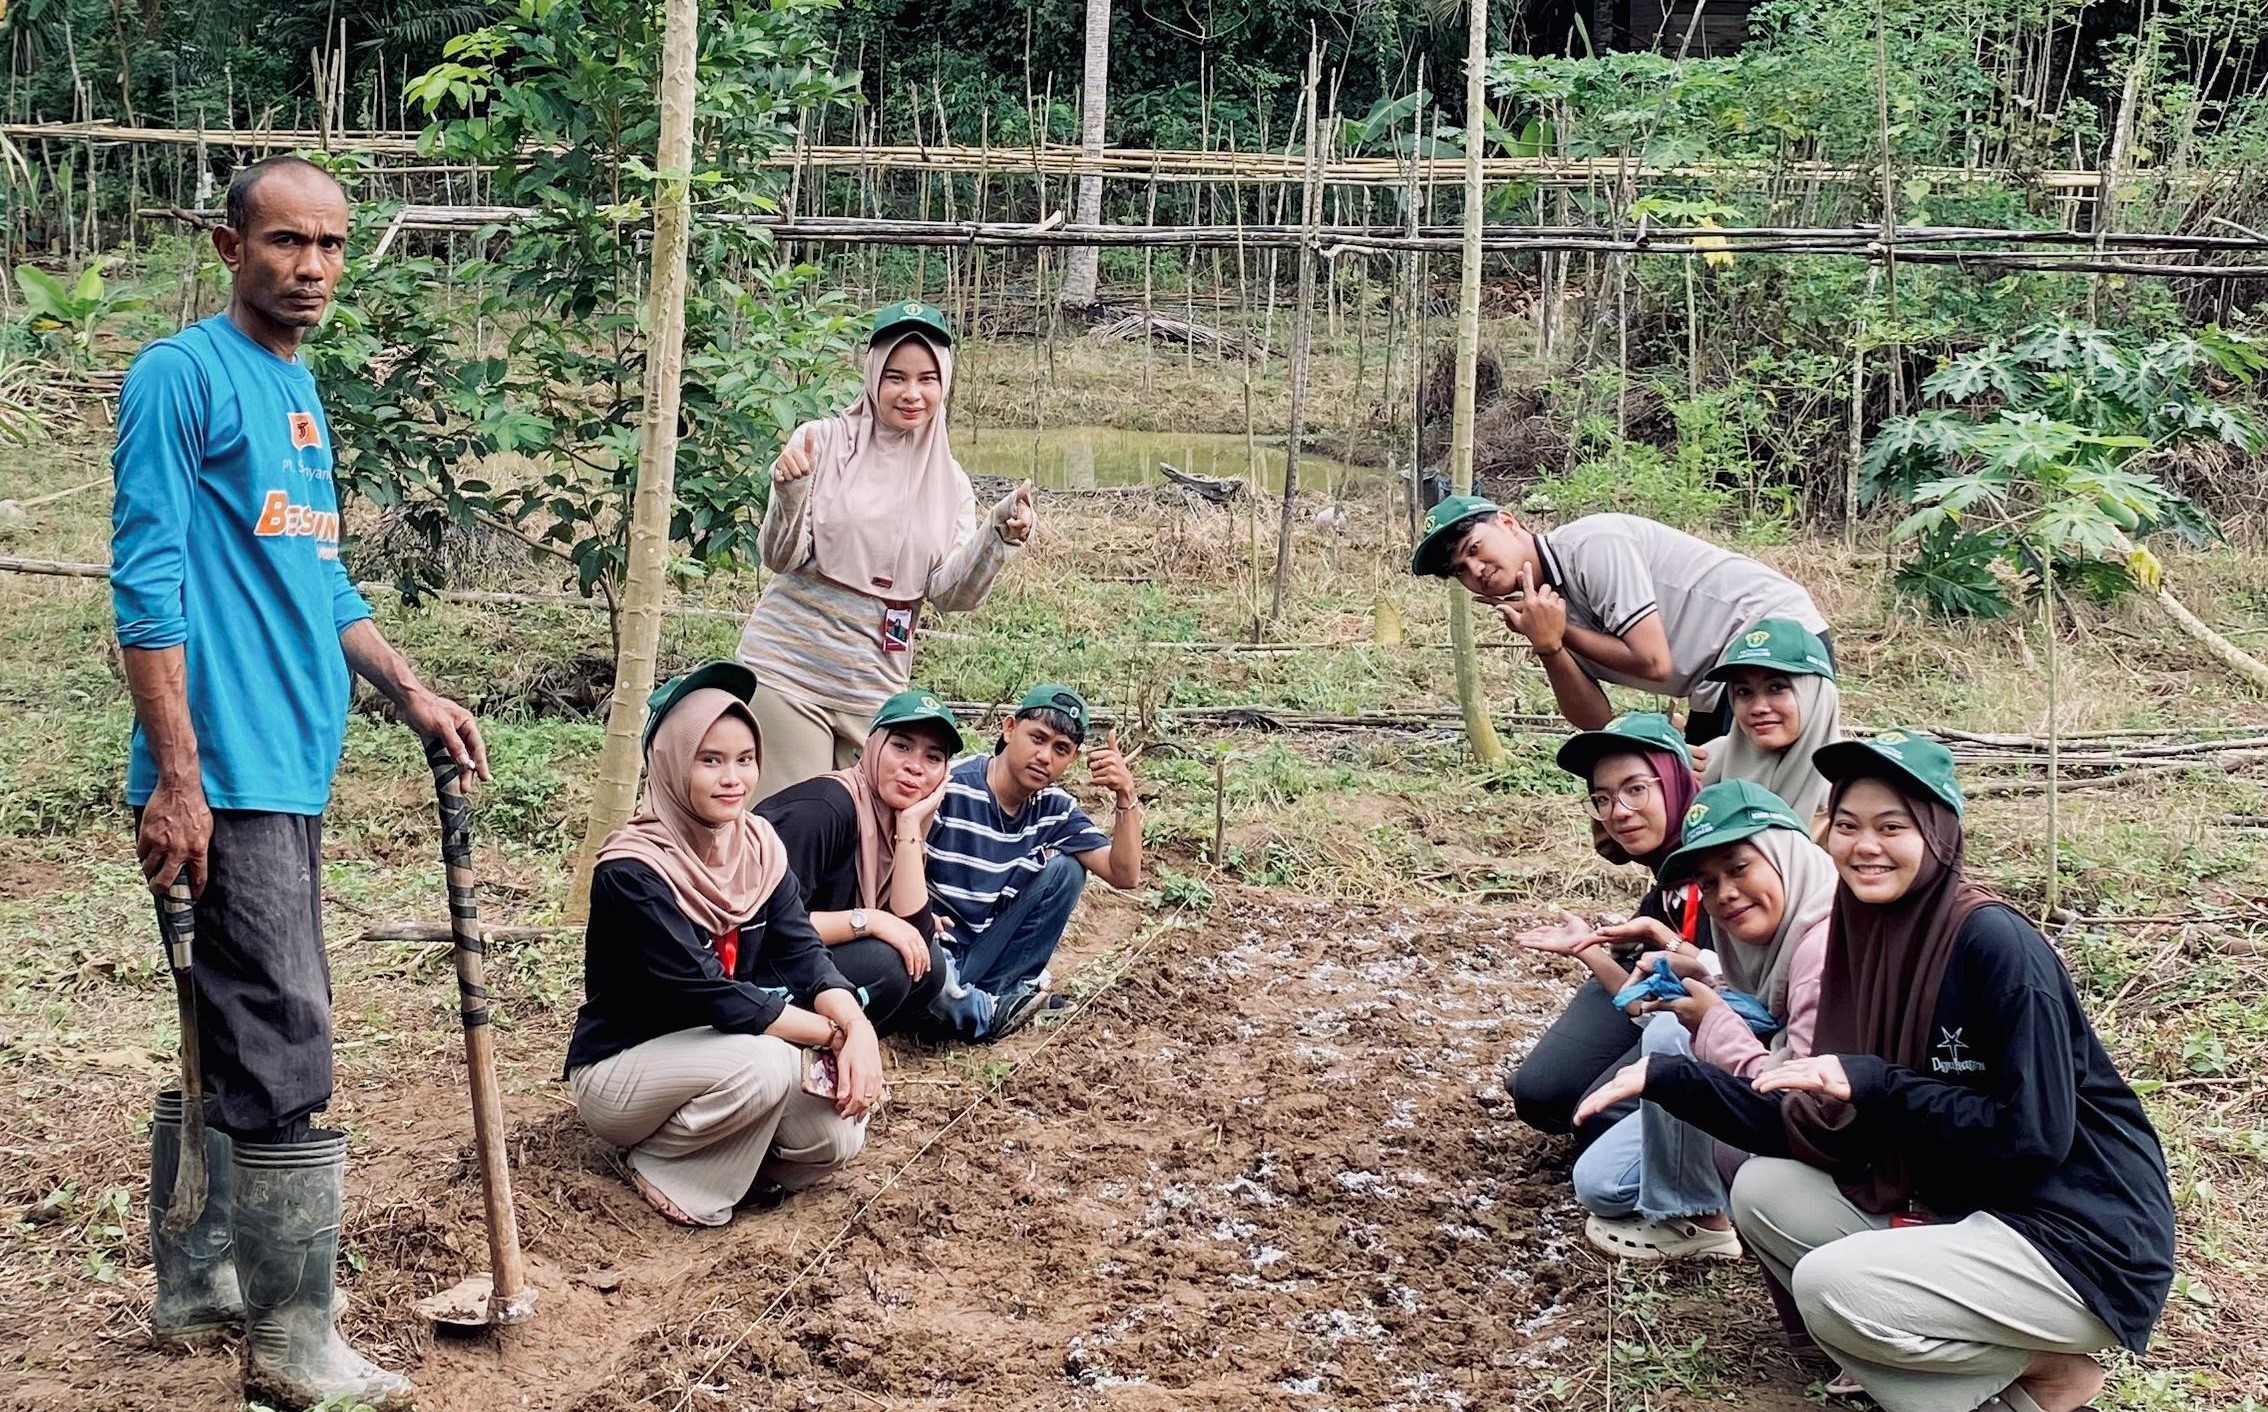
[[242, 633]]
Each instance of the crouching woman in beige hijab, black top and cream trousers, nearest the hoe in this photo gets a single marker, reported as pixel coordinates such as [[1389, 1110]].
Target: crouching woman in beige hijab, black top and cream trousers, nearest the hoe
[[709, 998]]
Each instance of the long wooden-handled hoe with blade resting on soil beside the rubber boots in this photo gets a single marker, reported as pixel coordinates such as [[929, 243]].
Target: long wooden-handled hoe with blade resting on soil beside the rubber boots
[[505, 1293]]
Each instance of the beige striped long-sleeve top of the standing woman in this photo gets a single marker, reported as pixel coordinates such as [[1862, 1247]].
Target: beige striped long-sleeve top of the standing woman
[[818, 643]]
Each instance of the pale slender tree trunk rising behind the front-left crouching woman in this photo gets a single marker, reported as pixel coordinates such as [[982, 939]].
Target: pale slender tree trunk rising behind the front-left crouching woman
[[657, 459]]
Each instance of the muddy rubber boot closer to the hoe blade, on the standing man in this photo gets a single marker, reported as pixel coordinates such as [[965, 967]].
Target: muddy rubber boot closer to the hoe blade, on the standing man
[[289, 1200]]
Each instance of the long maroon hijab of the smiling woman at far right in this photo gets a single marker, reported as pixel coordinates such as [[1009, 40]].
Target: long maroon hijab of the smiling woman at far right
[[1879, 994]]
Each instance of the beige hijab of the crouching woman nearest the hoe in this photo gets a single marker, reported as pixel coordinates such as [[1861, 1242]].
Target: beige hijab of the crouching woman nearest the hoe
[[720, 874]]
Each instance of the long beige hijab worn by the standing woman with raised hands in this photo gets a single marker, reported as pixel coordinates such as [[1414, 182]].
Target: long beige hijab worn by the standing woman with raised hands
[[886, 502]]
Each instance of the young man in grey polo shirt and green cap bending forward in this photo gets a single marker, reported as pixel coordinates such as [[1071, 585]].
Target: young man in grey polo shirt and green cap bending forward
[[1614, 599]]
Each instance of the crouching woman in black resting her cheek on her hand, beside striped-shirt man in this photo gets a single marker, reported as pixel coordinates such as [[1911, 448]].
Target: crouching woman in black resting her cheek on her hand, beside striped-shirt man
[[858, 840]]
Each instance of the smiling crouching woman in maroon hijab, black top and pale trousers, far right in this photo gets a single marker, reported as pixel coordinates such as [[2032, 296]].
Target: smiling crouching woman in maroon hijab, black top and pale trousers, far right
[[1958, 1186]]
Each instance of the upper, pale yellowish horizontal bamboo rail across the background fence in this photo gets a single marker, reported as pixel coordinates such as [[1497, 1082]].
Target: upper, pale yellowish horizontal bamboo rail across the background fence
[[1131, 164]]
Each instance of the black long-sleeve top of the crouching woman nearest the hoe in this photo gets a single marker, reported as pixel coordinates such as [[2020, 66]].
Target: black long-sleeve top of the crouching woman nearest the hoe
[[648, 971]]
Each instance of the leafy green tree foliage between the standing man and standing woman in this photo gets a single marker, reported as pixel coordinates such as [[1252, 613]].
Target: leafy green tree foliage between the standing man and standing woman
[[548, 355]]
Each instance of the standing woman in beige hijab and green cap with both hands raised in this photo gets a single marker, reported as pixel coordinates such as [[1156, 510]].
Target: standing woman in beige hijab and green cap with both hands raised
[[870, 518]]
